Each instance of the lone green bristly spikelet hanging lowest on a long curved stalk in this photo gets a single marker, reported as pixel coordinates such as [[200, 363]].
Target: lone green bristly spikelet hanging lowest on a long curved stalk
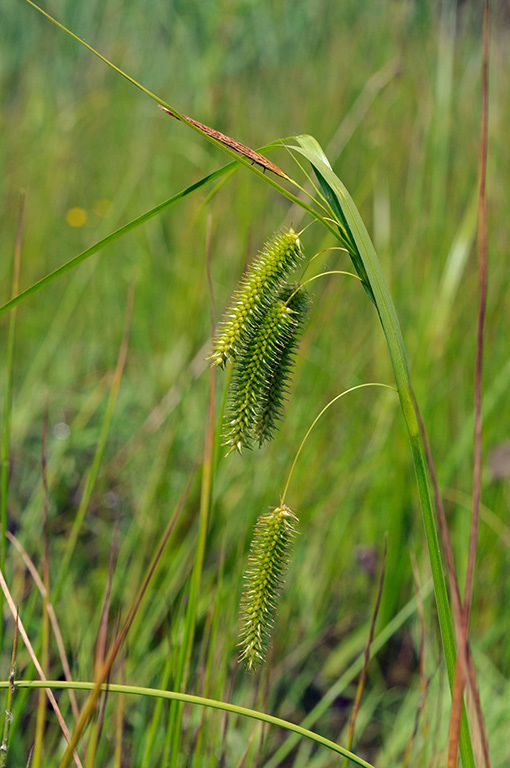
[[267, 563]]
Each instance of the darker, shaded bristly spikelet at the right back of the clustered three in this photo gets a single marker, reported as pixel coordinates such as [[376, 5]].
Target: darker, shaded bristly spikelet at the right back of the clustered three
[[276, 386]]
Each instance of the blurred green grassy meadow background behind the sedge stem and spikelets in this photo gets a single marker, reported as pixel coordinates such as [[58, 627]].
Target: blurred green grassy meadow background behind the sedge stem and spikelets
[[392, 91]]
